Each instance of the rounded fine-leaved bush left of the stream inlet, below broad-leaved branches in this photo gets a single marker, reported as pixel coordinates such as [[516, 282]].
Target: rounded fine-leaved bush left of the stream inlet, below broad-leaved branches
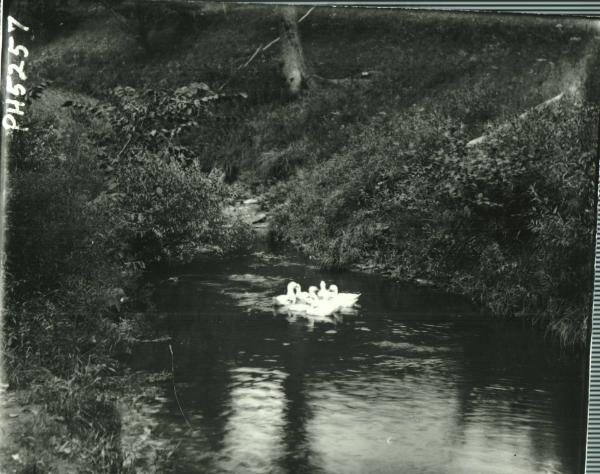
[[161, 210]]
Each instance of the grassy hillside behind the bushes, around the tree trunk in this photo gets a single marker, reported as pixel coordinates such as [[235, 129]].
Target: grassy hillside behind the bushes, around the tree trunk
[[481, 69]]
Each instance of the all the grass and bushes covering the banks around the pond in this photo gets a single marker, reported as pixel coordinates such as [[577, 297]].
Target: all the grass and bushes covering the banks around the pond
[[374, 171]]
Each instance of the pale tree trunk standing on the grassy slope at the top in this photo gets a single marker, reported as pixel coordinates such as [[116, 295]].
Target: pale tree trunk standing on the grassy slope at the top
[[294, 69]]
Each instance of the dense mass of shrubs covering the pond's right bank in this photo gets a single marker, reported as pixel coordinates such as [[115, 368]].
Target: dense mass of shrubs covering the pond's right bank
[[509, 222]]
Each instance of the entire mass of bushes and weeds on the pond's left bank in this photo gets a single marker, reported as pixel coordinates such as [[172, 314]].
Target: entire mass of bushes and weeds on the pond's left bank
[[87, 214]]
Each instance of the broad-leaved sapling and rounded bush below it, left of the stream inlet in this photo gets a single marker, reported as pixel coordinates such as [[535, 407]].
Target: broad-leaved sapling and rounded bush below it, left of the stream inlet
[[160, 202]]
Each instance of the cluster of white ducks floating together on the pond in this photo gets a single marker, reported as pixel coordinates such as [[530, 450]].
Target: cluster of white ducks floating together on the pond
[[321, 301]]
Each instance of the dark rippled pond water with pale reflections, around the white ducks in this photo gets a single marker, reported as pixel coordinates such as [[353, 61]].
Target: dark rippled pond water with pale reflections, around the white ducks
[[417, 382]]
